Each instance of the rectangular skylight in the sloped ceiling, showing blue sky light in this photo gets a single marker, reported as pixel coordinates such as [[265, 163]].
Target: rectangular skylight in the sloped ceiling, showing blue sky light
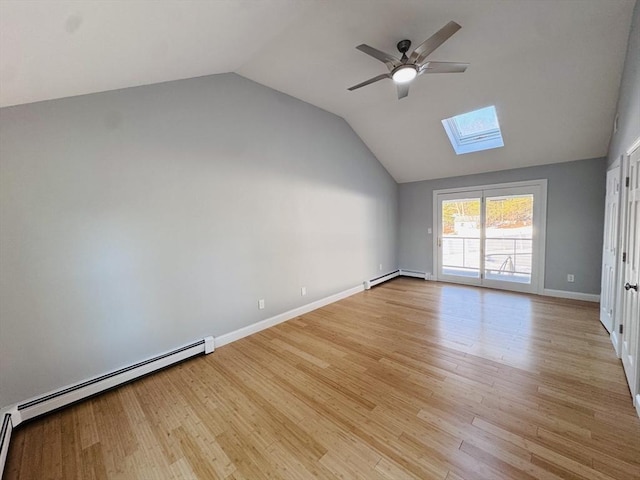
[[474, 131]]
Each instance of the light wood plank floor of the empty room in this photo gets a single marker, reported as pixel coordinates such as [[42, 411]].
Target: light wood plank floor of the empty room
[[412, 379]]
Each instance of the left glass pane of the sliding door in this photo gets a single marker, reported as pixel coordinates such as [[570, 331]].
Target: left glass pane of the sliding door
[[460, 226]]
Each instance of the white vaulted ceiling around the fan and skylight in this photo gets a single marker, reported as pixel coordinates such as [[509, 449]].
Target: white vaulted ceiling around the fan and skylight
[[552, 68]]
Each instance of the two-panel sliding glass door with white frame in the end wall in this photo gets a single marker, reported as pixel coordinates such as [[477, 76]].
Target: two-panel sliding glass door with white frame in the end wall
[[491, 236]]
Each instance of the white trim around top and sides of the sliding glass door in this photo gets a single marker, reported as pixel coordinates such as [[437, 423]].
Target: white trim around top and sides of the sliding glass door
[[542, 234]]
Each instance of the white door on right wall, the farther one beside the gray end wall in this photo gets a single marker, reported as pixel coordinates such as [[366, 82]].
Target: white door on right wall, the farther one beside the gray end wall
[[610, 249]]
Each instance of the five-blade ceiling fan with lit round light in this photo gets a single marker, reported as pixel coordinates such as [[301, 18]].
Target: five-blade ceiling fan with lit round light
[[403, 70]]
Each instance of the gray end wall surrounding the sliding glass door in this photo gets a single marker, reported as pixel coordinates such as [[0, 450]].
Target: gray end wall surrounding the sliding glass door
[[575, 218]]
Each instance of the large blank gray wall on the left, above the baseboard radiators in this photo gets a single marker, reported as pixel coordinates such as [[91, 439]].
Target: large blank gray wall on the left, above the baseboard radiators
[[138, 220]]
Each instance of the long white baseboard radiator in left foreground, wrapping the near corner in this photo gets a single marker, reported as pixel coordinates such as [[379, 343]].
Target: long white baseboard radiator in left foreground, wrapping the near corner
[[74, 393]]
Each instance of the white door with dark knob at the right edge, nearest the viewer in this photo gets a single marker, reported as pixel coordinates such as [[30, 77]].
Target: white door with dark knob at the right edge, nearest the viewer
[[631, 297]]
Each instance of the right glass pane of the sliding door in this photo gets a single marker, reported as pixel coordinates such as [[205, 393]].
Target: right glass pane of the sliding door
[[508, 242]]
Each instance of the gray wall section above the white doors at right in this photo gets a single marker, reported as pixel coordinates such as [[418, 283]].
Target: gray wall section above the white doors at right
[[629, 96]]
